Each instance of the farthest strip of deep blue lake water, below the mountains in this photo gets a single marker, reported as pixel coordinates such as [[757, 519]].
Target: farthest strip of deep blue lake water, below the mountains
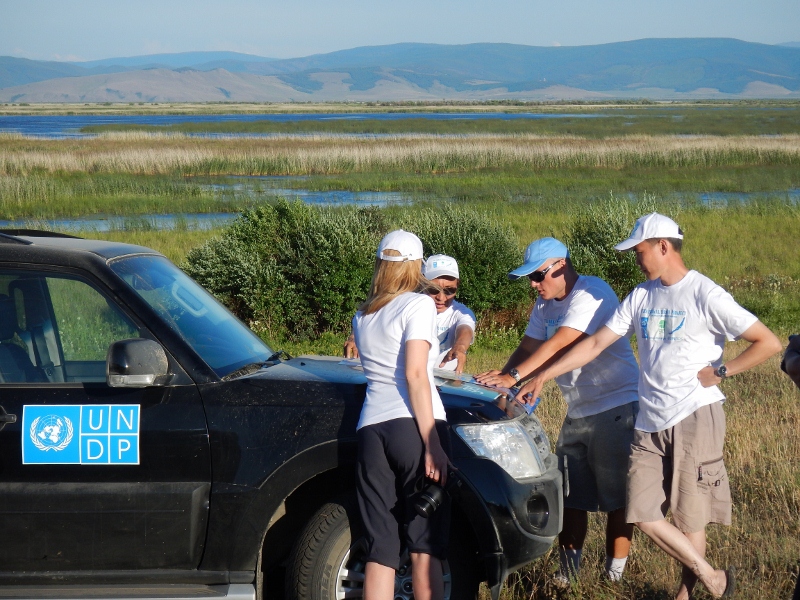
[[61, 126]]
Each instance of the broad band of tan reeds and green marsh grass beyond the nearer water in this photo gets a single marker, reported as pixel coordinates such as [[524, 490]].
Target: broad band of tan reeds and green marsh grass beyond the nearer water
[[138, 173]]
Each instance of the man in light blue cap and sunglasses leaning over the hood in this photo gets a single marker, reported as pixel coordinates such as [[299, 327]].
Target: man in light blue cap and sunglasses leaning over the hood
[[602, 402]]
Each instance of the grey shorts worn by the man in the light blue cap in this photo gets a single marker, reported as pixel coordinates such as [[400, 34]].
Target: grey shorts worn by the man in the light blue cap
[[597, 449]]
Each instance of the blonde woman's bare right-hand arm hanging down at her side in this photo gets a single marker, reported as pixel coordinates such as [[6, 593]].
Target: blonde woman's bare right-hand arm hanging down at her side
[[419, 391]]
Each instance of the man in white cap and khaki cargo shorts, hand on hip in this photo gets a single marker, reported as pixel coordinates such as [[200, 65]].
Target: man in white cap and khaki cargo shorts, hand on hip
[[681, 320]]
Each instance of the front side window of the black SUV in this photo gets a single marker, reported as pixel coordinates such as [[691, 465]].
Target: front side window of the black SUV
[[56, 328]]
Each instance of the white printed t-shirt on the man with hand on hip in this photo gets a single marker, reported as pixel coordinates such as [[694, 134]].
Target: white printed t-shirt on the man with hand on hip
[[681, 329]]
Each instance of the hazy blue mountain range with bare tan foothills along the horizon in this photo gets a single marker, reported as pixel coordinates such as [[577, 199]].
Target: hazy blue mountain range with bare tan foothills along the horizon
[[648, 68]]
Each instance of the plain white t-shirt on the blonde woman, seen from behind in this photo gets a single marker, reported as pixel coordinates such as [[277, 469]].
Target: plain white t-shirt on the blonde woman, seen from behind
[[381, 341]]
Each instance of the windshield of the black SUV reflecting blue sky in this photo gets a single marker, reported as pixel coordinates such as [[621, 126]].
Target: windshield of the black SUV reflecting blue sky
[[221, 340]]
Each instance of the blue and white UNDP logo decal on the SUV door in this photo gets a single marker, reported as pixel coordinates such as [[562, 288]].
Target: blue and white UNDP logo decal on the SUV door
[[80, 435]]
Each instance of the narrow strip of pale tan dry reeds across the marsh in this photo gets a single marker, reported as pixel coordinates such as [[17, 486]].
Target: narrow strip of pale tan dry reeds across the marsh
[[163, 155]]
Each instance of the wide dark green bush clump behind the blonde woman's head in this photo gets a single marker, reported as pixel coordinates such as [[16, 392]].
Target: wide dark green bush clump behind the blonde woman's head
[[295, 272]]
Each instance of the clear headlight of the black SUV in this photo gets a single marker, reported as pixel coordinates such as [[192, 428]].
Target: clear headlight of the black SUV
[[507, 444]]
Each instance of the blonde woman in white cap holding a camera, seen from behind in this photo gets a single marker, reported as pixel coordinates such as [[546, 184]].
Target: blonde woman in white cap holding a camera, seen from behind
[[402, 431]]
